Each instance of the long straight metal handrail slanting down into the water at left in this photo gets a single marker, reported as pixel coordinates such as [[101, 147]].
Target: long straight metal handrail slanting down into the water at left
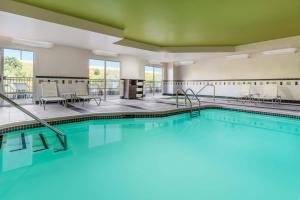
[[43, 122]]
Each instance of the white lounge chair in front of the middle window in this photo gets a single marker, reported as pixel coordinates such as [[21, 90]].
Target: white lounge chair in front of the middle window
[[87, 92]]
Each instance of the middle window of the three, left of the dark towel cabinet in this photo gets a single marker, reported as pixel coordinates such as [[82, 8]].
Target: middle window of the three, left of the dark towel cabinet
[[107, 75]]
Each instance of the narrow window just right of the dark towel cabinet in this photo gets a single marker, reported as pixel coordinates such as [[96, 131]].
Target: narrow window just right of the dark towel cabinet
[[153, 80]]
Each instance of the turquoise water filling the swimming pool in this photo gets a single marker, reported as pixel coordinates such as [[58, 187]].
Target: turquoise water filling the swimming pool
[[221, 155]]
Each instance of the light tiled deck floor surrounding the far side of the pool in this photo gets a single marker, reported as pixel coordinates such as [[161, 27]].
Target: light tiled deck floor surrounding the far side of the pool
[[10, 116]]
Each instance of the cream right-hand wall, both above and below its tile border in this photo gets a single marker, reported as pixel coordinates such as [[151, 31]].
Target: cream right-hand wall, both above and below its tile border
[[231, 76]]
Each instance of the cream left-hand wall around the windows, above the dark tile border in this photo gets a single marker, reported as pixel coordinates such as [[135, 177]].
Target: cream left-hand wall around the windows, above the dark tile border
[[73, 62]]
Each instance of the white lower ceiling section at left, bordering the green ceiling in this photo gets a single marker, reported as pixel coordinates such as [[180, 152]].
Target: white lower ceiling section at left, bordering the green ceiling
[[15, 26]]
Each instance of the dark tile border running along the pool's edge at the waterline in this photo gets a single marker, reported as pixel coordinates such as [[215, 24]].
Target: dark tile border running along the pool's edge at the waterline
[[72, 119]]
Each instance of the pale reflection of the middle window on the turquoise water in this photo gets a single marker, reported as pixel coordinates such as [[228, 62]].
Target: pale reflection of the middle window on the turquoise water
[[104, 134]]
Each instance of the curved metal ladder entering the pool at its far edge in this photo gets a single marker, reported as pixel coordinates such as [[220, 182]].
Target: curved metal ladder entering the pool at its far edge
[[193, 112]]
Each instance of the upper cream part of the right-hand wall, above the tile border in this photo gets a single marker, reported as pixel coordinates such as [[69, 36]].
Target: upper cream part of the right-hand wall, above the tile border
[[258, 66]]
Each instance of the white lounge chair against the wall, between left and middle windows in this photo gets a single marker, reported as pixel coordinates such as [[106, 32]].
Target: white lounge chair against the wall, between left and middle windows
[[50, 94]]
